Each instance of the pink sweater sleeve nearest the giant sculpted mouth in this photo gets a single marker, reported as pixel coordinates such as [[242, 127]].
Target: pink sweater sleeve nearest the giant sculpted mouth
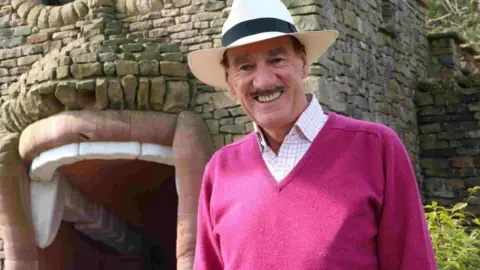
[[207, 253]]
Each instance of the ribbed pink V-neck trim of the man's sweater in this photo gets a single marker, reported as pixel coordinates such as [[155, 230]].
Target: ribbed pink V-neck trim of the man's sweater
[[319, 139]]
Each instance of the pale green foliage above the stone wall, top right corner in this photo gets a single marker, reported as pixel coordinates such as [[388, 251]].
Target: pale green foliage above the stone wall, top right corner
[[462, 16]]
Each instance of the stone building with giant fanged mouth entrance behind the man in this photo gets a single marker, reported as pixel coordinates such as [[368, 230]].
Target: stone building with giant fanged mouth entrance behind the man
[[103, 71]]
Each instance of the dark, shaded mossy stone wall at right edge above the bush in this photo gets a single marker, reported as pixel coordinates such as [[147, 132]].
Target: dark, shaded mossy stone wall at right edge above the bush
[[449, 121]]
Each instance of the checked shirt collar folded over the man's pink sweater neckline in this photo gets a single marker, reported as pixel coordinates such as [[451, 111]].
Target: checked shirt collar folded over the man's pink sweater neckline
[[309, 123]]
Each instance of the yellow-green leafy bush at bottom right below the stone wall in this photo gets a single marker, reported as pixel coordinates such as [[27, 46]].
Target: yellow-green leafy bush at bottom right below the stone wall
[[455, 235]]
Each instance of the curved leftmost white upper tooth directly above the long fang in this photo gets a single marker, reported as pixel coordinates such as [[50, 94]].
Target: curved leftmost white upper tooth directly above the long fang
[[44, 165]]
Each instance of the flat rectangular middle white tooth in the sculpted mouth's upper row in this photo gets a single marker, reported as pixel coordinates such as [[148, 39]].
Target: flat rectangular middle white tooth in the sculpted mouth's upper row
[[110, 150]]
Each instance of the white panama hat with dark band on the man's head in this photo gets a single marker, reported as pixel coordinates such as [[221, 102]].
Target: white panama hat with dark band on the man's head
[[251, 21]]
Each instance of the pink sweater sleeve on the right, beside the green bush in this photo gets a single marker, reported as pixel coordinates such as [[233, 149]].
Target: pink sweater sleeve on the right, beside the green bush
[[403, 238]]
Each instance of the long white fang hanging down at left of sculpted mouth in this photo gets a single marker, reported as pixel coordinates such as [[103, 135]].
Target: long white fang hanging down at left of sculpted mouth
[[47, 205]]
